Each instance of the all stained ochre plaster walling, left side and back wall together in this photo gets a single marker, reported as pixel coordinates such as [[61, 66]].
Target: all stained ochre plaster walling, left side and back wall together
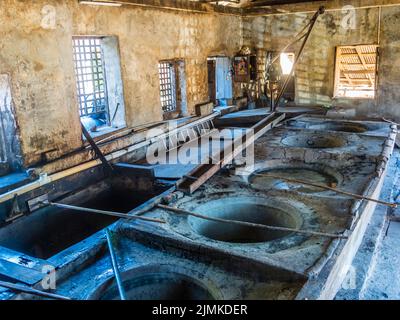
[[36, 53]]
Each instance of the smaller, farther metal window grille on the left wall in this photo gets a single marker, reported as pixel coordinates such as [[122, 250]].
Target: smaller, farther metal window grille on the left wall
[[167, 86]]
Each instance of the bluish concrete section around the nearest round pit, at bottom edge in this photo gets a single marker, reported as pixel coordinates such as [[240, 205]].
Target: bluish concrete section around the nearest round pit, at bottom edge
[[143, 266]]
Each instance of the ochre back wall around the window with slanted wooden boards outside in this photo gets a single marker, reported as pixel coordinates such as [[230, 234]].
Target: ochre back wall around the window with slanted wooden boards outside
[[315, 71]]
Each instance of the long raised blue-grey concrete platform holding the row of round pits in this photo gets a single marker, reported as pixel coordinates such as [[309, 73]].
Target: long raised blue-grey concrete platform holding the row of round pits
[[288, 265]]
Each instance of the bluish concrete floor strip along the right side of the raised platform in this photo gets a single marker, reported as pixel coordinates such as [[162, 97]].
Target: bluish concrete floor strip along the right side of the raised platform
[[375, 269]]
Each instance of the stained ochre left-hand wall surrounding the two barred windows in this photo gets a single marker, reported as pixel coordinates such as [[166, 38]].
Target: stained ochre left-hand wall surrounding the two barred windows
[[38, 56]]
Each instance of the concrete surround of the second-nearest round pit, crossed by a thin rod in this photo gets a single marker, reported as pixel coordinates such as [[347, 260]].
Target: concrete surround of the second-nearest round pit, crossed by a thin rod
[[293, 254]]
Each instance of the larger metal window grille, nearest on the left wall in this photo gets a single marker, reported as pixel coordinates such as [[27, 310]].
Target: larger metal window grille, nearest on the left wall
[[90, 75]]
